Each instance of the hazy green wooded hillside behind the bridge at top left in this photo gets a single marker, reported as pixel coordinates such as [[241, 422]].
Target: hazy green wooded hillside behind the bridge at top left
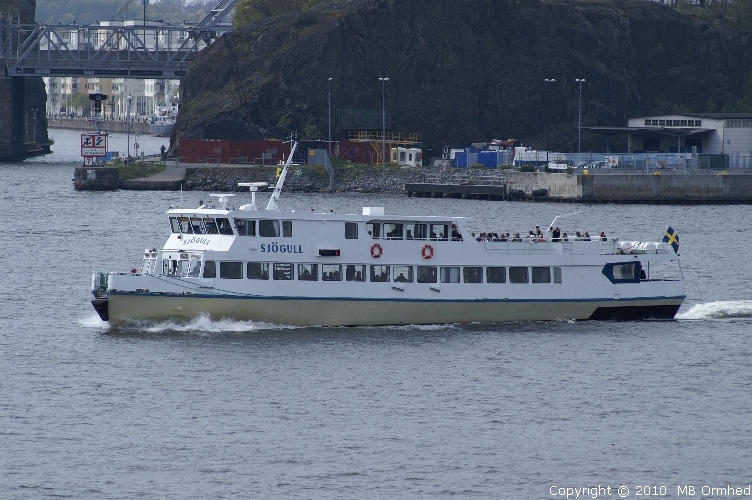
[[89, 11]]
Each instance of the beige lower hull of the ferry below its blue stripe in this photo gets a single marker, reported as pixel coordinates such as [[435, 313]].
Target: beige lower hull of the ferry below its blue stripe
[[343, 312]]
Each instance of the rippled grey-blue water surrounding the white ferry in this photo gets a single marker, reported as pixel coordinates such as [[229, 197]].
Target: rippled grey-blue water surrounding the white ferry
[[224, 409]]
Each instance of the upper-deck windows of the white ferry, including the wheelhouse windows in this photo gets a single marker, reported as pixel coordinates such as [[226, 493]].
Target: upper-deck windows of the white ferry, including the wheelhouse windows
[[268, 228]]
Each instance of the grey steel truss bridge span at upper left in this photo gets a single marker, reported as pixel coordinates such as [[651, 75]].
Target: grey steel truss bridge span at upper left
[[108, 49]]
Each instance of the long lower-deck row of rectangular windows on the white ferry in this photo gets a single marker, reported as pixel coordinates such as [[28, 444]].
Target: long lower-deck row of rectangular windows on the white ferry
[[361, 272]]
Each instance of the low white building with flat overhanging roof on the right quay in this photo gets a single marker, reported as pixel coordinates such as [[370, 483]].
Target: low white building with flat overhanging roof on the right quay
[[712, 133]]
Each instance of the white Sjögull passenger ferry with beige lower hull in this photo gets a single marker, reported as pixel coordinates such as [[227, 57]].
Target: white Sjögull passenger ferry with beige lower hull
[[305, 268]]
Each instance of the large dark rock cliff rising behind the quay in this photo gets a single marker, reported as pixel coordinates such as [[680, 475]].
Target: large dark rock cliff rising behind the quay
[[464, 71]]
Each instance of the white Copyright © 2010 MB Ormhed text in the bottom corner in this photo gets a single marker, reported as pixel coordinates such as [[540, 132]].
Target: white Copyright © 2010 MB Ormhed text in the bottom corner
[[642, 491]]
